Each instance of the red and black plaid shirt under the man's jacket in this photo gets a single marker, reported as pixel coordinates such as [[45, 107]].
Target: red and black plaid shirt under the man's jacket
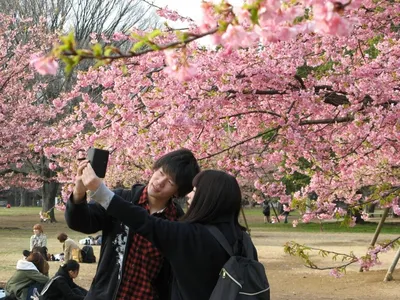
[[144, 261]]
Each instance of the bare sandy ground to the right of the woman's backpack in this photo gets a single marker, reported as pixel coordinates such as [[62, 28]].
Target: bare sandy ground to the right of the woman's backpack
[[289, 279]]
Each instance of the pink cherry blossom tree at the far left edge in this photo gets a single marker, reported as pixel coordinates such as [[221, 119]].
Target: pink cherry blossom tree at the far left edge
[[25, 113]]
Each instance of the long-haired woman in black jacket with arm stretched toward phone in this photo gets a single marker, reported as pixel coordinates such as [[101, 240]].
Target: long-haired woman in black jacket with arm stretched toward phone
[[195, 255]]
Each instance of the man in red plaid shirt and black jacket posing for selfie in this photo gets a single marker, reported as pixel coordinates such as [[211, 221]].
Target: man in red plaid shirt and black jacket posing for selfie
[[130, 267]]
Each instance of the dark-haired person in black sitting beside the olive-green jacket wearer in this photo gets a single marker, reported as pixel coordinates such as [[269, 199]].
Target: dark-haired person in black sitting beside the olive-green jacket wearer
[[62, 285]]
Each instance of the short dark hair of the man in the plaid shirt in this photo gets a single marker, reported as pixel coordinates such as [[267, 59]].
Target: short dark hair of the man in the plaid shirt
[[182, 166]]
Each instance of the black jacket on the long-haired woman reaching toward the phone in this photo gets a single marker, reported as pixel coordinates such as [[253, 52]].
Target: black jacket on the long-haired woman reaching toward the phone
[[196, 257]]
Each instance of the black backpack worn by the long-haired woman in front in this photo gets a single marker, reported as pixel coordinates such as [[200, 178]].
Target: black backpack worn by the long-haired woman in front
[[240, 277]]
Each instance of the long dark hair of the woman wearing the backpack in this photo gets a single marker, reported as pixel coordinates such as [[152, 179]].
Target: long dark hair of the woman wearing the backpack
[[217, 198]]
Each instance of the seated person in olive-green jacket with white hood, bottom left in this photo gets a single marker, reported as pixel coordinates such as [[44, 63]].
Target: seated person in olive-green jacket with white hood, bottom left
[[28, 277]]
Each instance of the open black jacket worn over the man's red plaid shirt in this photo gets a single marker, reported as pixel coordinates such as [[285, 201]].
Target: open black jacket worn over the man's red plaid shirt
[[90, 218]]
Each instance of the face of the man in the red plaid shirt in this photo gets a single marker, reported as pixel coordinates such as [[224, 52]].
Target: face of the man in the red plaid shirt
[[161, 186]]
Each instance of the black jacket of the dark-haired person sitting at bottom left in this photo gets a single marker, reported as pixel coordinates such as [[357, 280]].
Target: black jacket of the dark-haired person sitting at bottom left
[[62, 287]]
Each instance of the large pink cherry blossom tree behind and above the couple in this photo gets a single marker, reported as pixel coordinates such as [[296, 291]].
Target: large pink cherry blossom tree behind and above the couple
[[319, 97]]
